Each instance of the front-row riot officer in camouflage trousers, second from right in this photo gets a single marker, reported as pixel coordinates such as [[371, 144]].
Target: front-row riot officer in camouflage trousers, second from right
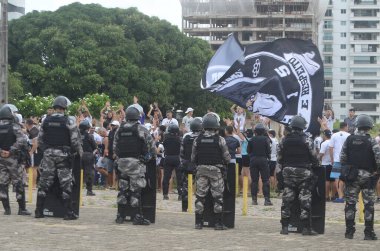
[[296, 157]]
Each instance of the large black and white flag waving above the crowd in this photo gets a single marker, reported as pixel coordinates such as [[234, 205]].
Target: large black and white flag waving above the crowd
[[276, 79]]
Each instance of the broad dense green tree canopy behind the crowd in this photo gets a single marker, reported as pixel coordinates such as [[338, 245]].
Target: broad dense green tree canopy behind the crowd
[[84, 49]]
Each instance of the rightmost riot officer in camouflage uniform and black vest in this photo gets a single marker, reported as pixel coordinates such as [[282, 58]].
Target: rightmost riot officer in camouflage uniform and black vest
[[360, 157]]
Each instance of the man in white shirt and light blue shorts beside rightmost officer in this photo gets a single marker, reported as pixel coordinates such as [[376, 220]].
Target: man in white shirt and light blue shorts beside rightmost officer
[[336, 144]]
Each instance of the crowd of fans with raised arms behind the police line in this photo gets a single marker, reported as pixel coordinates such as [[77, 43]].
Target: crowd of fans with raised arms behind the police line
[[237, 130]]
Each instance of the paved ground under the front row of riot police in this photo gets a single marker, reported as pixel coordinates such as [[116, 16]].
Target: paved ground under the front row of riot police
[[96, 230]]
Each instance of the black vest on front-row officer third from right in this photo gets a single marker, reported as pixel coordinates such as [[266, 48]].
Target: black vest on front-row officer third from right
[[208, 150]]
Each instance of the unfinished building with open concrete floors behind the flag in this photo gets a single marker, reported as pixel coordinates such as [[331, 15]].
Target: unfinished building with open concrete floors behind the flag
[[252, 20]]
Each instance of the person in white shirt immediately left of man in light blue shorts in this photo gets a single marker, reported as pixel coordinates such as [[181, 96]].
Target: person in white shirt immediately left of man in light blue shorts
[[324, 156]]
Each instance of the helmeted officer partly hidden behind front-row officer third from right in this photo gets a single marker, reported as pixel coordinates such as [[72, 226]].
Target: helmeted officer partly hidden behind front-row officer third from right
[[187, 166]]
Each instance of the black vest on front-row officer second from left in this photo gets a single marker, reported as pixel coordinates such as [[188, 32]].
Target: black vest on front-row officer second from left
[[56, 132]]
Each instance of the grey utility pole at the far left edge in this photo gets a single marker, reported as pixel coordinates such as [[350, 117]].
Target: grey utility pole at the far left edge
[[4, 53]]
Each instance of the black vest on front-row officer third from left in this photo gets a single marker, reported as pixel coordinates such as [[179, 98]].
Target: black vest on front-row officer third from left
[[130, 145]]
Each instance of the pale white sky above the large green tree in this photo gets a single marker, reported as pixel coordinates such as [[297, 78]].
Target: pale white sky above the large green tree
[[164, 9]]
